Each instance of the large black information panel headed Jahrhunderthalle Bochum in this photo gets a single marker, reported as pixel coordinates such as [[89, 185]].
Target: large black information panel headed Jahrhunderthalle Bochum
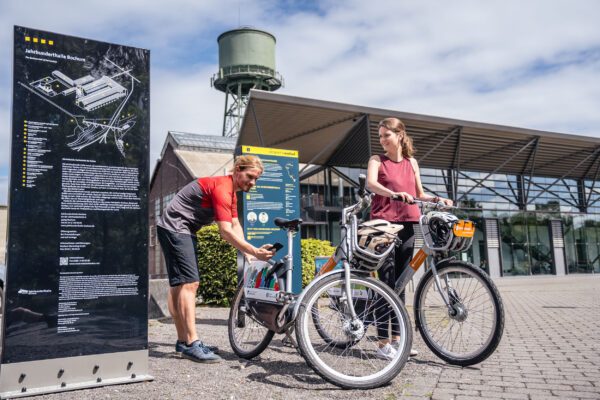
[[77, 279]]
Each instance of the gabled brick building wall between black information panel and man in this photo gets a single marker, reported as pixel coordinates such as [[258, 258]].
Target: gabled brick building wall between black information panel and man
[[171, 175]]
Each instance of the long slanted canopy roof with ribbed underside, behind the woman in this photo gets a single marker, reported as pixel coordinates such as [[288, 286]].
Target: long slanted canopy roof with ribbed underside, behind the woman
[[336, 134]]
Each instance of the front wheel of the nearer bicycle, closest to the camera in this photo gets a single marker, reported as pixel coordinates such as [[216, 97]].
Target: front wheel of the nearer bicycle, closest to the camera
[[348, 355]]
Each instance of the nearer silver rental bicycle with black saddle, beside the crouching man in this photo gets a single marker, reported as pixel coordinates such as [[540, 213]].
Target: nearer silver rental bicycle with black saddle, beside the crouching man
[[341, 319]]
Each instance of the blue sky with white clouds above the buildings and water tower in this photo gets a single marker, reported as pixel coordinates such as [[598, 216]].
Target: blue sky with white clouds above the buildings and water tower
[[532, 64]]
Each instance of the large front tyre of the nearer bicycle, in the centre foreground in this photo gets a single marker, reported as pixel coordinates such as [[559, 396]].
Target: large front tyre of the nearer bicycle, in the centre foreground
[[355, 366]]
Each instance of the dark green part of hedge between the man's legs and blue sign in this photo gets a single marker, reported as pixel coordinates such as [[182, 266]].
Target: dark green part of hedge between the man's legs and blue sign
[[217, 267]]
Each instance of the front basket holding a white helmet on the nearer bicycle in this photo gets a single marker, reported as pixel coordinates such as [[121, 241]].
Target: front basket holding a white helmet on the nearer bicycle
[[374, 239]]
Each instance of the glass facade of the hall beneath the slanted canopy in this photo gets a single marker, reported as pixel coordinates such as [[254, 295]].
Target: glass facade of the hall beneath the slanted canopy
[[524, 207]]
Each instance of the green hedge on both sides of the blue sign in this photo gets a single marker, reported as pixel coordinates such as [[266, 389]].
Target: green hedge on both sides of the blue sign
[[218, 270]]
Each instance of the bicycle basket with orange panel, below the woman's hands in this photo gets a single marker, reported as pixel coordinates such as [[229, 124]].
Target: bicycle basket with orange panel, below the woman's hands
[[444, 231]]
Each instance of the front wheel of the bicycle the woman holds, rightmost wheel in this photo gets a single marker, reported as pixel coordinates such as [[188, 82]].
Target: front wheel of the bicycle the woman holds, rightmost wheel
[[470, 330]]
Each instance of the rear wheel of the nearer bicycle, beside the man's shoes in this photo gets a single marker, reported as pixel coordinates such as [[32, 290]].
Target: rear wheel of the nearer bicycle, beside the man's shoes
[[247, 337]]
